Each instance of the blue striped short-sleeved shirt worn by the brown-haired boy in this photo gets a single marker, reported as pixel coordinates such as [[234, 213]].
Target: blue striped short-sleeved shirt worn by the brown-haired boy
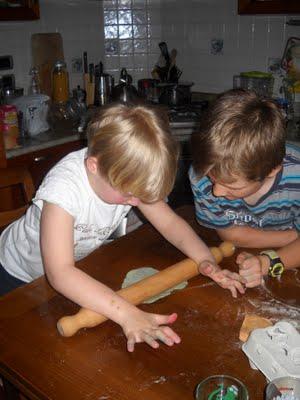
[[278, 209]]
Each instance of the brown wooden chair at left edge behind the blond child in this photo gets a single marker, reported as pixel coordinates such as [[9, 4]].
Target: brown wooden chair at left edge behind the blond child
[[16, 192]]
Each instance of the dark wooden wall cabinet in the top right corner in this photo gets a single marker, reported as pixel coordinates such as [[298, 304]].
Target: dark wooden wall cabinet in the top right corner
[[269, 6]]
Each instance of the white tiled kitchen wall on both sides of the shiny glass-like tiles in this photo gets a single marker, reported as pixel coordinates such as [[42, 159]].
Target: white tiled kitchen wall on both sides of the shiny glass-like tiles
[[187, 25]]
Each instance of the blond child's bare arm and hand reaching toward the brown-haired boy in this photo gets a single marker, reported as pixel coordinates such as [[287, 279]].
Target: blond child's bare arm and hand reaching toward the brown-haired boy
[[181, 235]]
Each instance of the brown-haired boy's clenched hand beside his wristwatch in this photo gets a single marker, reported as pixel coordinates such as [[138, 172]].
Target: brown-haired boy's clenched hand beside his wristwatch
[[252, 268]]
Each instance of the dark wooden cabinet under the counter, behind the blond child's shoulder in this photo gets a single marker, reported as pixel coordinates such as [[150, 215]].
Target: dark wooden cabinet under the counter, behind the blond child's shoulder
[[41, 161]]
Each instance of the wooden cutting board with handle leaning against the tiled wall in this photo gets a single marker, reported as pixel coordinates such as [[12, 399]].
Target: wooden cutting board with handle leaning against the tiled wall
[[46, 49]]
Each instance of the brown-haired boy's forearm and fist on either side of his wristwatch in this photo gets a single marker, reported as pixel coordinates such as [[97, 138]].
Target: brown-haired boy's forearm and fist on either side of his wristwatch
[[254, 267]]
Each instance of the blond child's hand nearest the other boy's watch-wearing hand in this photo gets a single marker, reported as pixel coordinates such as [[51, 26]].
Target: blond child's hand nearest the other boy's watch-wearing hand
[[226, 279]]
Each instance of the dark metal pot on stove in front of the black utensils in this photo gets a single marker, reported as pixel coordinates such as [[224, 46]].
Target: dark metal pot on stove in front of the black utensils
[[175, 94]]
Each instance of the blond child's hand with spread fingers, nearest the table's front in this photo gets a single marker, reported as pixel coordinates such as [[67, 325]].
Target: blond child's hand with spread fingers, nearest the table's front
[[149, 328]]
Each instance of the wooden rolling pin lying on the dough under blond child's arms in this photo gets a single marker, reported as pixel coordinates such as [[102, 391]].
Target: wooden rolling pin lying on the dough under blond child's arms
[[143, 290]]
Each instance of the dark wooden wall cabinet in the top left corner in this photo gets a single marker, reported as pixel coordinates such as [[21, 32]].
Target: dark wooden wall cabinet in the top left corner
[[25, 10]]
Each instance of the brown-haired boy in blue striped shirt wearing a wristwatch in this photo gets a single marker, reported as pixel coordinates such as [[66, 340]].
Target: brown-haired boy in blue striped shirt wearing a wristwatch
[[246, 182]]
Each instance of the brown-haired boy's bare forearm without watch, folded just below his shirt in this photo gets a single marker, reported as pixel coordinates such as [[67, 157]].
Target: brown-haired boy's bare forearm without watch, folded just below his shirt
[[245, 236]]
